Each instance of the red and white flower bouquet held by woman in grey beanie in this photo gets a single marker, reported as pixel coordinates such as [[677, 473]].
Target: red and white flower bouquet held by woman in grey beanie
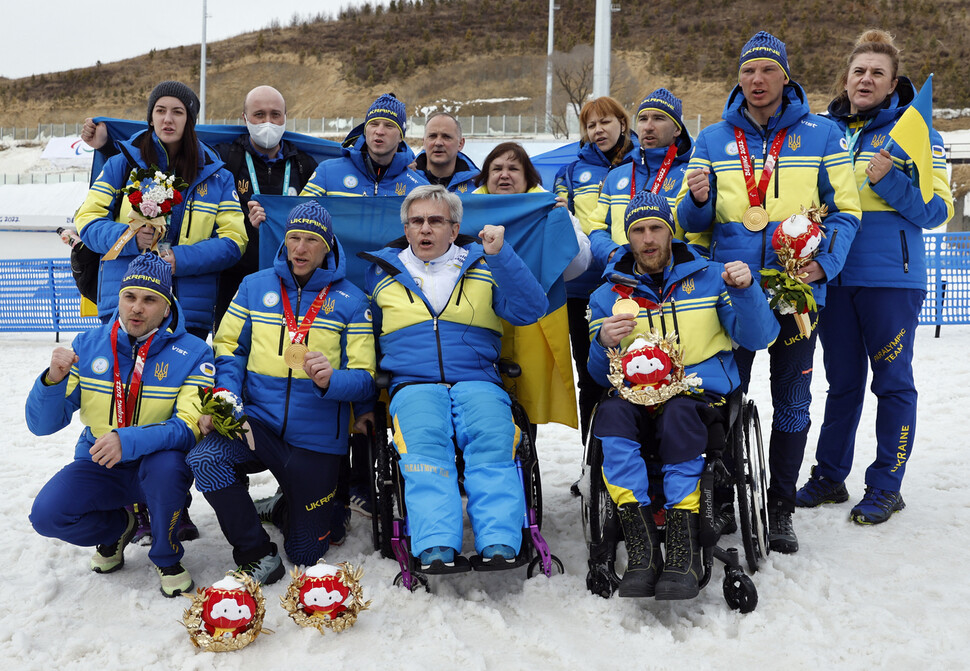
[[152, 194]]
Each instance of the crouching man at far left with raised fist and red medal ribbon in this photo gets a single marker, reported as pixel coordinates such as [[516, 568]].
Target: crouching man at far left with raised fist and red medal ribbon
[[135, 381]]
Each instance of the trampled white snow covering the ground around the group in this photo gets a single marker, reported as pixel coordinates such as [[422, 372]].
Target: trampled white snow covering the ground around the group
[[890, 597]]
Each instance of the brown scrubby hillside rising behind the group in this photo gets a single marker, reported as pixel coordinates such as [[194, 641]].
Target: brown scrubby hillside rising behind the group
[[470, 53]]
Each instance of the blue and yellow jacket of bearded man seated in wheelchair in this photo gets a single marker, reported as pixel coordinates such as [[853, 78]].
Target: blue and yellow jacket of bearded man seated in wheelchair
[[696, 303]]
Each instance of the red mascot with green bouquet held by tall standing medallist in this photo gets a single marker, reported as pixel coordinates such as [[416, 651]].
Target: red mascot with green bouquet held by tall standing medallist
[[796, 242]]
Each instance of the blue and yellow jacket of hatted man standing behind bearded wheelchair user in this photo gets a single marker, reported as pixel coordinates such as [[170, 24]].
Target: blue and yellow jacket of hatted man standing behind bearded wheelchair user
[[606, 219]]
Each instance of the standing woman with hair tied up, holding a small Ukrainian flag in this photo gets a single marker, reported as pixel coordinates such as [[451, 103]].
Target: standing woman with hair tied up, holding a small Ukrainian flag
[[873, 305]]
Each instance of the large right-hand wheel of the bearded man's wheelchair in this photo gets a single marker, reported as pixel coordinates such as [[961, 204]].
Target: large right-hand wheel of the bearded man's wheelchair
[[752, 486]]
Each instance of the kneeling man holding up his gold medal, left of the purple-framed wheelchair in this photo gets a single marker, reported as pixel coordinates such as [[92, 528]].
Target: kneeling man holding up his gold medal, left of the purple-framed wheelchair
[[297, 346]]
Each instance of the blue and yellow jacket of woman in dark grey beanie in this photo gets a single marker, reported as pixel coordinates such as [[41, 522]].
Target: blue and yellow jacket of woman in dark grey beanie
[[206, 230]]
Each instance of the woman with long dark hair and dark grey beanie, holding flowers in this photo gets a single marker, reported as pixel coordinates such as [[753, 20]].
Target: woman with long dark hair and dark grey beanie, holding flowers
[[205, 231]]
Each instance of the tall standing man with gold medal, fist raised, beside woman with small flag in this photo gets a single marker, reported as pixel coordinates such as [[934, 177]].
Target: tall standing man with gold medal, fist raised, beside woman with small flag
[[767, 159]]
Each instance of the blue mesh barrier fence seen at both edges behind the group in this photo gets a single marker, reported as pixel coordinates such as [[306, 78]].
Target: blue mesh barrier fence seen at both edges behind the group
[[40, 294]]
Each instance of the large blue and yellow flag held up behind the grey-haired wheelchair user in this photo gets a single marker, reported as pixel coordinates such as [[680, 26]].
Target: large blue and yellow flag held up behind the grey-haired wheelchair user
[[541, 235]]
